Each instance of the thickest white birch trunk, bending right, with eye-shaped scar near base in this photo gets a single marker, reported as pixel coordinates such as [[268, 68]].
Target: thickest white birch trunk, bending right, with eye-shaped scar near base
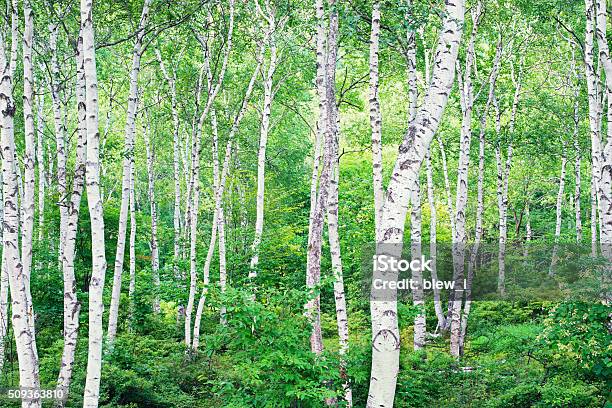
[[385, 331]]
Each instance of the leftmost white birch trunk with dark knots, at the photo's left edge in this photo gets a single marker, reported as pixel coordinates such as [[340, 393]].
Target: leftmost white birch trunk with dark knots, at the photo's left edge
[[22, 317]]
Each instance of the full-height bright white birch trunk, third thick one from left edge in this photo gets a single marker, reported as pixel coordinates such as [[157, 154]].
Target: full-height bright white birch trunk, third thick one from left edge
[[94, 201]]
